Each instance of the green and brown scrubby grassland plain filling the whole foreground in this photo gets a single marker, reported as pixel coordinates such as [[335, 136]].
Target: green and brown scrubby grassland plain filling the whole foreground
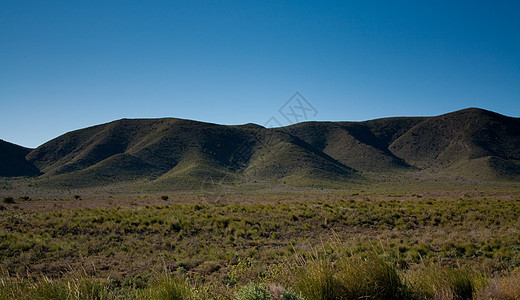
[[321, 247]]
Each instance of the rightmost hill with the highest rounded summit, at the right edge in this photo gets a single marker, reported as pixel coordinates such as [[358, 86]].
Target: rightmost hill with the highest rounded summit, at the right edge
[[465, 142]]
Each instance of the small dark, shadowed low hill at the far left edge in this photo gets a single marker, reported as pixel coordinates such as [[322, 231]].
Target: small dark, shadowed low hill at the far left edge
[[13, 162]]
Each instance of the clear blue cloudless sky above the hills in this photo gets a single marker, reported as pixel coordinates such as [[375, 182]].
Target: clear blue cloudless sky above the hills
[[66, 65]]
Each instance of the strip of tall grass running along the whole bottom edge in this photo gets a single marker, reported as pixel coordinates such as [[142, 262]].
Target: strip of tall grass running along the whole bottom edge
[[352, 277]]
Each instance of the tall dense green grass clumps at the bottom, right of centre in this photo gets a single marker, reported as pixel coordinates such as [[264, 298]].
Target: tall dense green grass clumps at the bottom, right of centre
[[374, 277]]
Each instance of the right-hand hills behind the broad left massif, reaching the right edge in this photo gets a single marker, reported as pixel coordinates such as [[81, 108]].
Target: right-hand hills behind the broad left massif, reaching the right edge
[[472, 142]]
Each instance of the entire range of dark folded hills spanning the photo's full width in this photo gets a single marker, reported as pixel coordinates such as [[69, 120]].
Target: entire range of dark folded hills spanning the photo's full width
[[171, 153]]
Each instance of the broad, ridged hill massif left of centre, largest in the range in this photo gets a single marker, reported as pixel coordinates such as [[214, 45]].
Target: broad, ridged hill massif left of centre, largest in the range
[[175, 152]]
